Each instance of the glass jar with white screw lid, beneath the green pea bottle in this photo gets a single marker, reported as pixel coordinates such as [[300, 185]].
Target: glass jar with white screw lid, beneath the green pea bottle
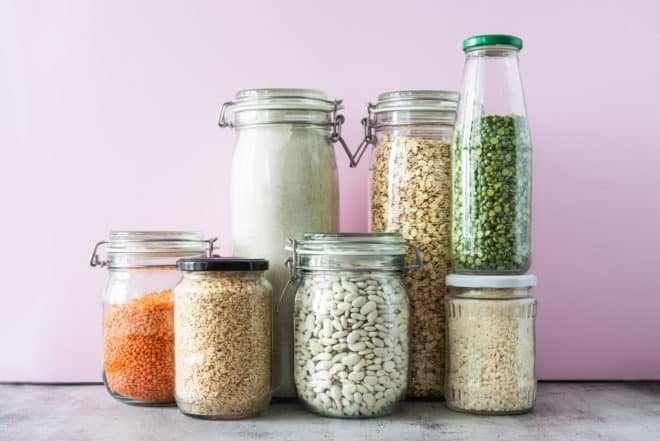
[[490, 344]]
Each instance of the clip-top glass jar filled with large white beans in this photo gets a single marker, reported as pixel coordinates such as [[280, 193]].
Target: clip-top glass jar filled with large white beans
[[350, 323]]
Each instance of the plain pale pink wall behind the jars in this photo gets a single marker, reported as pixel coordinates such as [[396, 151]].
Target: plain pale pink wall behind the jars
[[106, 108]]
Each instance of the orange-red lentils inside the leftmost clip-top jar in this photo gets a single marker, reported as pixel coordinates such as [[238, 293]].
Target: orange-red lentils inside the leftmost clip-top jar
[[139, 347]]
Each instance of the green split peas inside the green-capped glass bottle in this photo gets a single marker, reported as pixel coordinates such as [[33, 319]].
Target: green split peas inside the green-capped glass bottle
[[492, 196]]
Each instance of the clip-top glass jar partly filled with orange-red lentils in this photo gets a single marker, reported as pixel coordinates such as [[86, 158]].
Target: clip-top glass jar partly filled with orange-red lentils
[[138, 329]]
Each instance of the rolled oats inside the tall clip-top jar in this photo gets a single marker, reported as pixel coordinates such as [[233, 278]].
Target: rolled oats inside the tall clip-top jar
[[411, 194]]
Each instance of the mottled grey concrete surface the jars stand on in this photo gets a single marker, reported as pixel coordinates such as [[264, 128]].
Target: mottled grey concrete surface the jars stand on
[[564, 411]]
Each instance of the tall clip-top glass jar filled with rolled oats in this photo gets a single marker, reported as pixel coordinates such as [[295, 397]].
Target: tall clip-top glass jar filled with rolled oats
[[411, 194]]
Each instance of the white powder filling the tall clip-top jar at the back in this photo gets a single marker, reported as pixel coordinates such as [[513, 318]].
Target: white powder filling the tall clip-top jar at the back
[[283, 183]]
